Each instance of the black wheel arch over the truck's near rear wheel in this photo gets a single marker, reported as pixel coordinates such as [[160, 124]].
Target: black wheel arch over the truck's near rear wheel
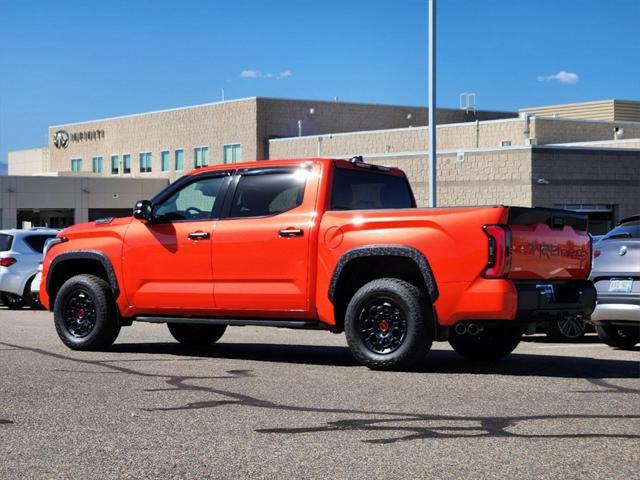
[[363, 270]]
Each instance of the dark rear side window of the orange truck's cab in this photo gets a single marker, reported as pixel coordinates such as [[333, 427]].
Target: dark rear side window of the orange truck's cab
[[264, 194]]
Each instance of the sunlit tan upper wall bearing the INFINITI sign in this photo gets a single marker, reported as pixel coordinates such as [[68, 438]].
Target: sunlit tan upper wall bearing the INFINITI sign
[[212, 125]]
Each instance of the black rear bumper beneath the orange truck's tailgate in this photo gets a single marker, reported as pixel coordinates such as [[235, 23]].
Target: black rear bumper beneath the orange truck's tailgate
[[554, 301]]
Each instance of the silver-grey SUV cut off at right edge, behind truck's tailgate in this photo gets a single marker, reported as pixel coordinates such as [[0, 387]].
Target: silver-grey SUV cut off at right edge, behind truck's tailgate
[[616, 276]]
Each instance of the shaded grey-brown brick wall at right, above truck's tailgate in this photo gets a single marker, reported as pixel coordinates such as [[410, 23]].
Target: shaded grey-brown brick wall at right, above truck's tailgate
[[588, 176]]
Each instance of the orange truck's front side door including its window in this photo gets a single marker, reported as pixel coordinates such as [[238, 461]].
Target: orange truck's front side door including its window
[[167, 262]]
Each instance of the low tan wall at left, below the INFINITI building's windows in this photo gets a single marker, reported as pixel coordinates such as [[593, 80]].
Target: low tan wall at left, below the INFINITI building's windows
[[78, 193]]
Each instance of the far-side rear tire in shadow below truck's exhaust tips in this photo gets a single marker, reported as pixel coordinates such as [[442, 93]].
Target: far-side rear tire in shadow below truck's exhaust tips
[[492, 343]]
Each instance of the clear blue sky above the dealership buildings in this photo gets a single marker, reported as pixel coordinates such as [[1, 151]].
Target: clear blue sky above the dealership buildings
[[80, 60]]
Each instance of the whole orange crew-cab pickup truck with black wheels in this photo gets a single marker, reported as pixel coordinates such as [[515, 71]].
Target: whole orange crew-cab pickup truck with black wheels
[[319, 244]]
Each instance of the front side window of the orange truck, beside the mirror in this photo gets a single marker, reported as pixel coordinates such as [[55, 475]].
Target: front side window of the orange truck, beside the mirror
[[194, 201]]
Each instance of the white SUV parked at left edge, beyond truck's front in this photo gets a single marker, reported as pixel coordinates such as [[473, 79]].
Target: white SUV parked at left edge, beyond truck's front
[[20, 255]]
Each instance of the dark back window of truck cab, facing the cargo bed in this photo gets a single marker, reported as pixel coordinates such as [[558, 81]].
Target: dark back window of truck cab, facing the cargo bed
[[358, 190]]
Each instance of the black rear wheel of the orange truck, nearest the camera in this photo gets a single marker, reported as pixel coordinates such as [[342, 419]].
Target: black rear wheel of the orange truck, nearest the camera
[[388, 325]]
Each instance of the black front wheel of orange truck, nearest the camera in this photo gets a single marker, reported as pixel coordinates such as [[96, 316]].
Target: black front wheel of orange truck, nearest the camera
[[85, 314]]
